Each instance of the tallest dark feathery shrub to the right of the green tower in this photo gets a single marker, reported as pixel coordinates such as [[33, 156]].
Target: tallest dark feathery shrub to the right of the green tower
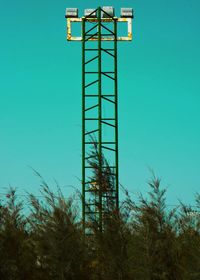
[[154, 251]]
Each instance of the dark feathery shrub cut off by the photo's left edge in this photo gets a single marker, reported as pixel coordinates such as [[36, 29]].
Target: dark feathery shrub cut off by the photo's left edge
[[17, 257]]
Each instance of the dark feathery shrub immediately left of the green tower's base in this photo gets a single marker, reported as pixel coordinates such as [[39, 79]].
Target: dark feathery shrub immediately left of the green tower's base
[[57, 235]]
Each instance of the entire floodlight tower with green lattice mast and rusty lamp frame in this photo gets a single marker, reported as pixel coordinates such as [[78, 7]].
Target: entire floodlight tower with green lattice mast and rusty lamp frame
[[99, 104]]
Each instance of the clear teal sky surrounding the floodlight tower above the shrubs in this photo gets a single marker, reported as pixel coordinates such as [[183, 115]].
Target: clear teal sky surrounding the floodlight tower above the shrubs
[[159, 96]]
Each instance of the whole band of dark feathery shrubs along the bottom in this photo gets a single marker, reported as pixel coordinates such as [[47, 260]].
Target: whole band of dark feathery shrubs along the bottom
[[143, 241]]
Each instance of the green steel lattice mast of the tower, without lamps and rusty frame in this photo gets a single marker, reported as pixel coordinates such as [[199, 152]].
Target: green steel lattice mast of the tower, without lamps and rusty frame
[[95, 207]]
